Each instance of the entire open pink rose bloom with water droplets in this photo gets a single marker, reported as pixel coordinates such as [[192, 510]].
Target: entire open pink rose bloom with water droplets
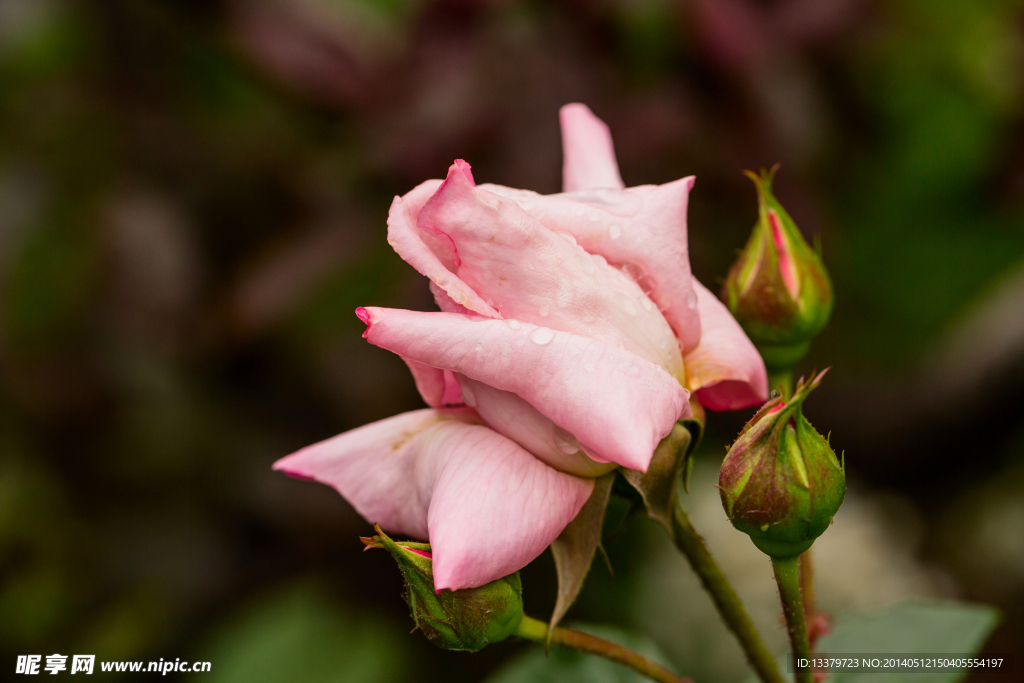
[[570, 337]]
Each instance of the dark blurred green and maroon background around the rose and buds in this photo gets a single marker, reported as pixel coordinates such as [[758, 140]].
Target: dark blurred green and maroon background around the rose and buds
[[193, 202]]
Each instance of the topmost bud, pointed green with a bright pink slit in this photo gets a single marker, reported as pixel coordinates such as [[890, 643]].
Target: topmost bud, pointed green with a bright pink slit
[[779, 289]]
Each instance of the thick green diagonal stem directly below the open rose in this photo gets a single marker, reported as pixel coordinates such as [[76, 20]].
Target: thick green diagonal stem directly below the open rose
[[726, 599]]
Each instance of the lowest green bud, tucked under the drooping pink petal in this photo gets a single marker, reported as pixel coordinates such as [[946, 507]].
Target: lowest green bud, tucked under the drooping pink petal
[[467, 620]]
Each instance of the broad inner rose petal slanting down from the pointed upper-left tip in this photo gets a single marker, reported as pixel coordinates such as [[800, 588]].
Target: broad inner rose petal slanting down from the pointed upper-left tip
[[530, 274]]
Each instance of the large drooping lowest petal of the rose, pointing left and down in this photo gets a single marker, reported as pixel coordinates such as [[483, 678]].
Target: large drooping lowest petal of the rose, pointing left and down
[[488, 507]]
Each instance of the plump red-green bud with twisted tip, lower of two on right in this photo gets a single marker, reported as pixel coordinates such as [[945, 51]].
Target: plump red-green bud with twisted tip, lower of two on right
[[782, 483]]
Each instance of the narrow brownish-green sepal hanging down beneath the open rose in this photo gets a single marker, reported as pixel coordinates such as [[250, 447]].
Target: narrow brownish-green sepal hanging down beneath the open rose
[[574, 549]]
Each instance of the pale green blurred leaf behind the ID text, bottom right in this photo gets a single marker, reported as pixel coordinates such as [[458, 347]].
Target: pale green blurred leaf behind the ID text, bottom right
[[912, 627]]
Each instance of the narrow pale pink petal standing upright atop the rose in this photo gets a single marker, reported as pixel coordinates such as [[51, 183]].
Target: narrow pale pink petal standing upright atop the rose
[[588, 155]]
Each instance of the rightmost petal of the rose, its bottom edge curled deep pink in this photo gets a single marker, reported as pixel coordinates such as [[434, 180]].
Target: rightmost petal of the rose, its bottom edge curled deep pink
[[726, 370]]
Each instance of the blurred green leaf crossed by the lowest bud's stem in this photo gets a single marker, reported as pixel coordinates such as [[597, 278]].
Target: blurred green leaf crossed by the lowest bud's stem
[[566, 666]]
